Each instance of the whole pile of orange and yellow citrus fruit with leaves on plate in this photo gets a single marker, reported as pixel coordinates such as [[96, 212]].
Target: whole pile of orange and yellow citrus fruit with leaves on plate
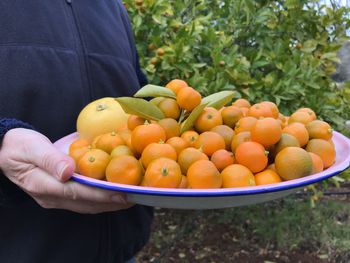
[[177, 139]]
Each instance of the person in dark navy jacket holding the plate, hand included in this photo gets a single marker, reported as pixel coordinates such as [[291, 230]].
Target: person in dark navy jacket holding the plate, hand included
[[56, 57]]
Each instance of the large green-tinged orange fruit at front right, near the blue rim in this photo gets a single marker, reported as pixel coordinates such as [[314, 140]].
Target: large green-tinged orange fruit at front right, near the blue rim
[[293, 162]]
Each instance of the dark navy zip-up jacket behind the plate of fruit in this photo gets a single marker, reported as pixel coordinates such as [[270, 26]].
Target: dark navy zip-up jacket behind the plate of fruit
[[55, 57]]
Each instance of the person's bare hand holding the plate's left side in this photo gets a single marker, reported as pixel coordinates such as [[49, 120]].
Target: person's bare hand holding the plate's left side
[[30, 161]]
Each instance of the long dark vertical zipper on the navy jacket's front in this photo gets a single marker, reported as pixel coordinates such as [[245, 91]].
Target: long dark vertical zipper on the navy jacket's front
[[80, 49]]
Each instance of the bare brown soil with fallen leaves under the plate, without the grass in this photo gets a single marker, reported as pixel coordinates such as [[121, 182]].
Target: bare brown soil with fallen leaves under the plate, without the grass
[[196, 236]]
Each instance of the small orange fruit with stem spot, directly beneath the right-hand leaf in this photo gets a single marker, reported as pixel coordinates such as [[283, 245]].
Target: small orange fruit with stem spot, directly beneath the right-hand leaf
[[207, 120]]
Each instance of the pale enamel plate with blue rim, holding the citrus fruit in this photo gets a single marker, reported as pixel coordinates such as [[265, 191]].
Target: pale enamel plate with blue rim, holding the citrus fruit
[[215, 198]]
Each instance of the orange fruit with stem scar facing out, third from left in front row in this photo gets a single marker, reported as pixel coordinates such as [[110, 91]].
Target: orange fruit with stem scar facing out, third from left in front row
[[163, 173]]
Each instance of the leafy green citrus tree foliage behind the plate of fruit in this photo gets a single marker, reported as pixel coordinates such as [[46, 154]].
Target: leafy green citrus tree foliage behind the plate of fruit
[[283, 51]]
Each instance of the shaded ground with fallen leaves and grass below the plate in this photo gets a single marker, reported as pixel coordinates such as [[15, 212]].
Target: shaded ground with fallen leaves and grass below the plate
[[287, 230]]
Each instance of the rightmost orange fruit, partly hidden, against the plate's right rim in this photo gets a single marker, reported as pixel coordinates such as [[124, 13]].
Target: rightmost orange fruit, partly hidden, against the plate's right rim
[[323, 149]]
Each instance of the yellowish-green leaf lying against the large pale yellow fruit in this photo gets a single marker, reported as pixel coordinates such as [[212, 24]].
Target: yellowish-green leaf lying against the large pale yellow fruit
[[141, 108]]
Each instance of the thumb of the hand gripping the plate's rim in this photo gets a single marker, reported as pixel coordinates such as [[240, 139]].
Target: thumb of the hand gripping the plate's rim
[[53, 161]]
